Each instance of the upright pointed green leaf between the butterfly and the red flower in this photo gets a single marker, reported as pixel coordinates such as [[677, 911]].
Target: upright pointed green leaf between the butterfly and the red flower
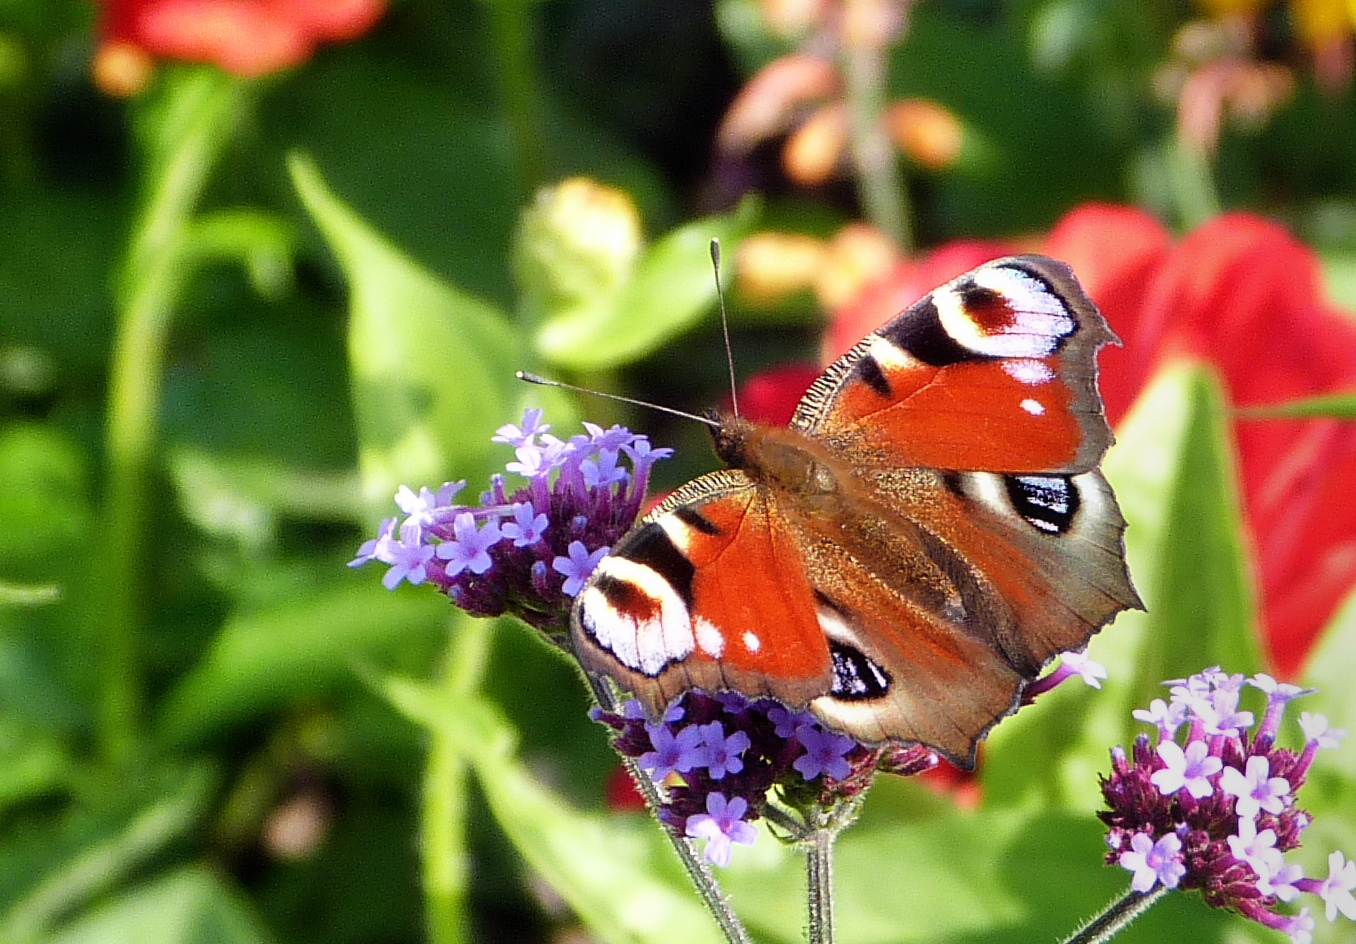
[[1174, 477]]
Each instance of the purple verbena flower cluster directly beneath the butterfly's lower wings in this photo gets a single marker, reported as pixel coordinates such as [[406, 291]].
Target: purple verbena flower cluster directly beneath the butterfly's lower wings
[[723, 762]]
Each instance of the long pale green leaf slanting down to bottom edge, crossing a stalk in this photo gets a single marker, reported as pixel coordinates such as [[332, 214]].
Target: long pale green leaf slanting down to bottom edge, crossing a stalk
[[620, 877]]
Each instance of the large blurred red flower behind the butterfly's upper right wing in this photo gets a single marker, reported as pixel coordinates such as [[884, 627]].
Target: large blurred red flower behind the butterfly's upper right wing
[[1244, 296]]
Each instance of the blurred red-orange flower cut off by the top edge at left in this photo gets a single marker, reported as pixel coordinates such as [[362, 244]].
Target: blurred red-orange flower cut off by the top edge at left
[[245, 37]]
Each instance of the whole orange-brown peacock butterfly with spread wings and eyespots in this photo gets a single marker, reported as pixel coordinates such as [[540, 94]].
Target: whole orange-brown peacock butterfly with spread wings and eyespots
[[924, 538]]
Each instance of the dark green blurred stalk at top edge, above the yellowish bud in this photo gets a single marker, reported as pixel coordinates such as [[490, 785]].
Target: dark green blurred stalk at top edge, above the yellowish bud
[[512, 45]]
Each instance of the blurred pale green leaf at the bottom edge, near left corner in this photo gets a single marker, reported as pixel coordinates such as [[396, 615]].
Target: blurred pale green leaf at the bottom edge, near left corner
[[189, 907]]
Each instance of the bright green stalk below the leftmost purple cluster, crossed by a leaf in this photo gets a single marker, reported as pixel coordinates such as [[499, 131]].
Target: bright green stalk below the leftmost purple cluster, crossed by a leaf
[[447, 867]]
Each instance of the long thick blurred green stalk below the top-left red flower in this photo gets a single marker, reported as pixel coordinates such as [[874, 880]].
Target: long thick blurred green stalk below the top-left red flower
[[203, 111]]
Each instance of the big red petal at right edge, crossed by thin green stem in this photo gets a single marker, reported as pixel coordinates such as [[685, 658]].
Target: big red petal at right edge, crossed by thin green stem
[[1244, 295]]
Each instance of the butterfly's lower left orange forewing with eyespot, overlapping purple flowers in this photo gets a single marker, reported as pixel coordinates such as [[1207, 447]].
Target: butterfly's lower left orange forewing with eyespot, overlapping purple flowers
[[709, 592]]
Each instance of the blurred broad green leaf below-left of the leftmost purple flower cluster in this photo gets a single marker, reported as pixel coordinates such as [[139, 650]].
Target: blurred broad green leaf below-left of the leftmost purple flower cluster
[[303, 649]]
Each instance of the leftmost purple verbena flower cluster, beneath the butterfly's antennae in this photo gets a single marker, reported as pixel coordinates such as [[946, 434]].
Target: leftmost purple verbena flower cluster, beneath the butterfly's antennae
[[527, 551]]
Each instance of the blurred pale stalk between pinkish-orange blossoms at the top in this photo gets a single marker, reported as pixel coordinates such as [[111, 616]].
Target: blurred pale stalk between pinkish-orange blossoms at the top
[[885, 199]]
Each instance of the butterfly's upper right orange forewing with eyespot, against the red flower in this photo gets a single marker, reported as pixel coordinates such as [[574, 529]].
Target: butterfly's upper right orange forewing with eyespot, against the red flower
[[993, 372]]
